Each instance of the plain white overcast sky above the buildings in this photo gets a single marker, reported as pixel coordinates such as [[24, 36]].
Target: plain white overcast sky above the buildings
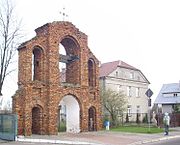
[[142, 33]]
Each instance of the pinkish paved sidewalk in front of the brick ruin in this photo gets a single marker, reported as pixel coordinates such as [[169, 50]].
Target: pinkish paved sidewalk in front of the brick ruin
[[101, 138]]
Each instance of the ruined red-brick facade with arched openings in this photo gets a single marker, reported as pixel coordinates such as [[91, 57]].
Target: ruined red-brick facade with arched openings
[[36, 102]]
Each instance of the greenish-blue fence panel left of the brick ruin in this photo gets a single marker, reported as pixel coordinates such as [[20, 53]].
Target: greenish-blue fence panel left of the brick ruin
[[8, 126]]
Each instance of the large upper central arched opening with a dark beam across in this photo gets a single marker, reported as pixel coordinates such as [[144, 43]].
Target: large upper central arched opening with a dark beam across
[[70, 59]]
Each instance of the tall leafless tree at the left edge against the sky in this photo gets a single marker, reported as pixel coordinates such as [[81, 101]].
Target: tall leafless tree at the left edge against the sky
[[9, 38]]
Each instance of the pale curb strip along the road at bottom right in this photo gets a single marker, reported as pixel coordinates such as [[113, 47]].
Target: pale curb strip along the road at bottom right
[[154, 140]]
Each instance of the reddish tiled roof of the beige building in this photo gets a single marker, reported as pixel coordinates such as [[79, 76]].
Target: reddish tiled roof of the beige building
[[109, 67]]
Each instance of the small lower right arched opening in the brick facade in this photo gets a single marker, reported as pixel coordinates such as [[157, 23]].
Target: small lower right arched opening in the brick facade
[[92, 119]]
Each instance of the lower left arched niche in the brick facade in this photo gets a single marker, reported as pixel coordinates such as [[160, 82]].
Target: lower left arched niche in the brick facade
[[36, 120]]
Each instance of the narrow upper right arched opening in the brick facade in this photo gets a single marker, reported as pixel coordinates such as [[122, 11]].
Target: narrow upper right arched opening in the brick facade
[[91, 73]]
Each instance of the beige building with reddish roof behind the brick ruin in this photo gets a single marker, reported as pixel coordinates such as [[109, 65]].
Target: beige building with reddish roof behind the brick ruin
[[120, 76]]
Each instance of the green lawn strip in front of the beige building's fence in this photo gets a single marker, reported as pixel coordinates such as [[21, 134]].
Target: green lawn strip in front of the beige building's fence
[[138, 129]]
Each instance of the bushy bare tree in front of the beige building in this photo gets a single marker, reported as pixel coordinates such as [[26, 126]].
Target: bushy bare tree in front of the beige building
[[114, 103]]
